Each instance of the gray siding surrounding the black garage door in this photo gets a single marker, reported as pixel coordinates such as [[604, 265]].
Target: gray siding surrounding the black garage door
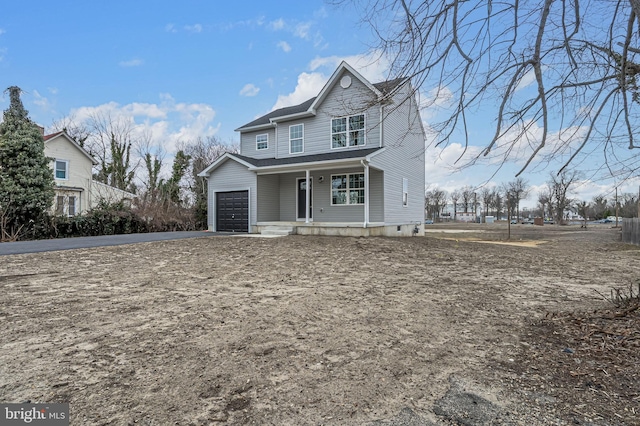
[[232, 176]]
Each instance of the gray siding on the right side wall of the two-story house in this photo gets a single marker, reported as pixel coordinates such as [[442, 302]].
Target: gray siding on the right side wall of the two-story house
[[403, 158]]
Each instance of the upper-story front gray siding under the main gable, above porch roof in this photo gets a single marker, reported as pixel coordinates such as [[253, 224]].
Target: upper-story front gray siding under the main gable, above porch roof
[[338, 103]]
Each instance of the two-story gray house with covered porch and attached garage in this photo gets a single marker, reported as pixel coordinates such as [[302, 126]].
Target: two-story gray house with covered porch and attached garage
[[349, 161]]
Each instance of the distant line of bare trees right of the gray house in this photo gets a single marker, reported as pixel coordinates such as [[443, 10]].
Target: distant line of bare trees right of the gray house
[[554, 202]]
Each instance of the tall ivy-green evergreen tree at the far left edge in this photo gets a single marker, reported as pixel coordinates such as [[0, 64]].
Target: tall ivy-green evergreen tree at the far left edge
[[26, 180]]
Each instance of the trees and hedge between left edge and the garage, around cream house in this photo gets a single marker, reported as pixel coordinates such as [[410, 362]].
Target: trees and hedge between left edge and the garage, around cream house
[[167, 198]]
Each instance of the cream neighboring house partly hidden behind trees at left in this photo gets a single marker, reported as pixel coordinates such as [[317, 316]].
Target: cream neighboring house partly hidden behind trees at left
[[76, 191]]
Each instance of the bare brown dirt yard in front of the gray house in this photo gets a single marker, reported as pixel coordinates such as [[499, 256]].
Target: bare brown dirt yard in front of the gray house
[[452, 328]]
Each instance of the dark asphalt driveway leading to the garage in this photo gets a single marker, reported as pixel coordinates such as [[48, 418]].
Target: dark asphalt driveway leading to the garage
[[21, 247]]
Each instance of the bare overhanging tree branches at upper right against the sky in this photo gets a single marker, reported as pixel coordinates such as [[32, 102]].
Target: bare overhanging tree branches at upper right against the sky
[[560, 75]]
